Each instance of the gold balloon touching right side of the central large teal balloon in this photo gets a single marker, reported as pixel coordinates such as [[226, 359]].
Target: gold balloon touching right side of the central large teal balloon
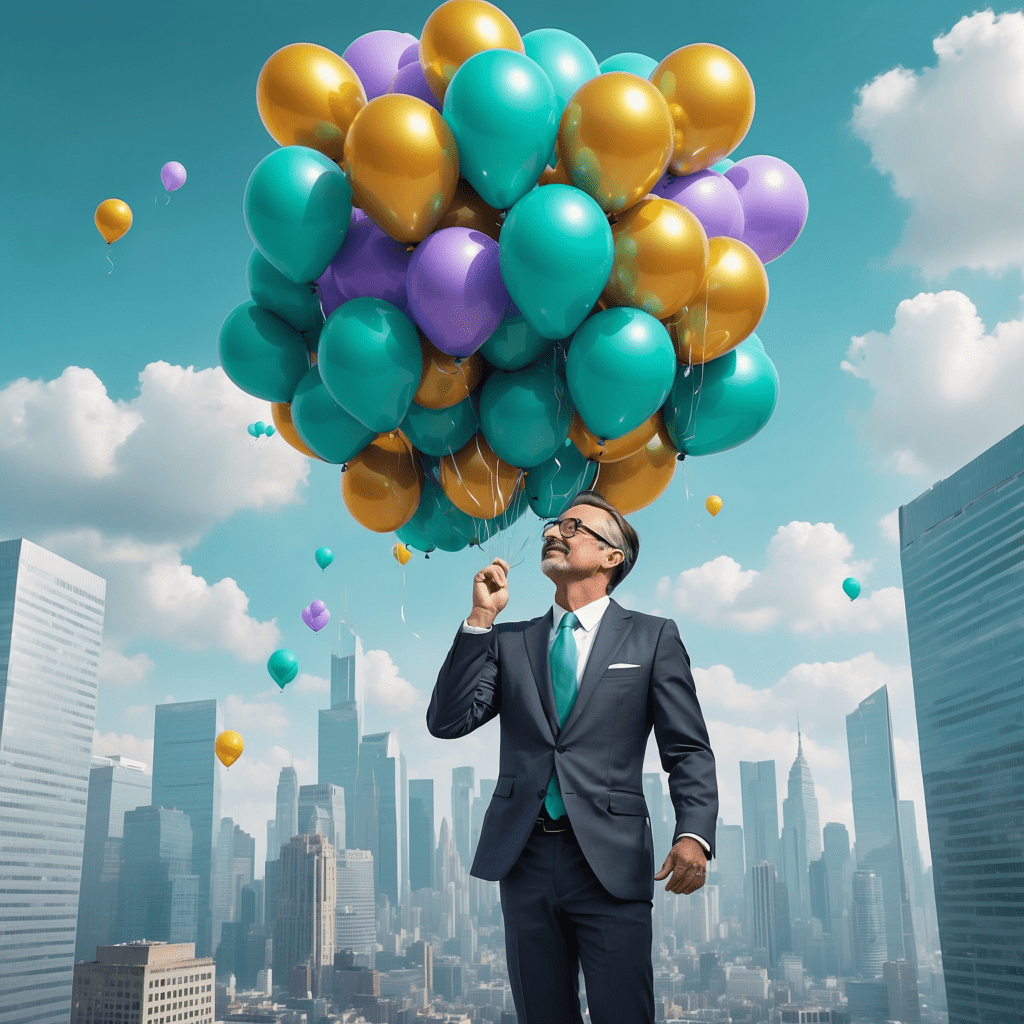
[[661, 259]]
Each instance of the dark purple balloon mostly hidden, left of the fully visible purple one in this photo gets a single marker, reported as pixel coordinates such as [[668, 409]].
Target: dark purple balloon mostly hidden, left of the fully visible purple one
[[370, 265]]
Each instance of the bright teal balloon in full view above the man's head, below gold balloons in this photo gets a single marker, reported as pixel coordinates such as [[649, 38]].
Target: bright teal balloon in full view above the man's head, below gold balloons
[[620, 369]]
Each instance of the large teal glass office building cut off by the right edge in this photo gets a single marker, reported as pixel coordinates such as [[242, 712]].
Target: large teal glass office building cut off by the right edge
[[962, 549]]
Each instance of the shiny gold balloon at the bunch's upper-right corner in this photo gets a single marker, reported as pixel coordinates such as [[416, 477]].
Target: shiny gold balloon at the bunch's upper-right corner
[[711, 97]]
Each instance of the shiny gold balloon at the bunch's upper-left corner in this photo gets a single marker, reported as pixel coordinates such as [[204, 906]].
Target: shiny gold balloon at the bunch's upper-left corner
[[308, 96]]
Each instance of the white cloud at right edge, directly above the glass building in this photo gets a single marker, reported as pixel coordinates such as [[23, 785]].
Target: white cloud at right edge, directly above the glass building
[[944, 389]]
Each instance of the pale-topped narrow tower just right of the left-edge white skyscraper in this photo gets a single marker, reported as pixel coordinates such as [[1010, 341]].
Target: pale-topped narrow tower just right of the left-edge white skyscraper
[[116, 785]]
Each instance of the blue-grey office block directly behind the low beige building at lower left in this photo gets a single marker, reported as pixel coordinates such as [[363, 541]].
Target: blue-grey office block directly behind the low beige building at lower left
[[158, 893]]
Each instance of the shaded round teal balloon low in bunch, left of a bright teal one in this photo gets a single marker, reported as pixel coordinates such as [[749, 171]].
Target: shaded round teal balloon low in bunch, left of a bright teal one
[[526, 416]]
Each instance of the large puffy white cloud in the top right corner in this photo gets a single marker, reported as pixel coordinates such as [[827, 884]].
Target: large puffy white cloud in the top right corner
[[952, 140]]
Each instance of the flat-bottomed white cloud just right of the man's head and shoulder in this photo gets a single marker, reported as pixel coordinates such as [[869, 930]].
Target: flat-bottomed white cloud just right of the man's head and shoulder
[[800, 588]]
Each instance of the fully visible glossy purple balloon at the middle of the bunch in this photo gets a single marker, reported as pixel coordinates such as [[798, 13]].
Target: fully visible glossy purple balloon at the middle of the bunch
[[456, 291]]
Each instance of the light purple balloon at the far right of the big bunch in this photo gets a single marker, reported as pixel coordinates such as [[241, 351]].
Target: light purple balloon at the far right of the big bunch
[[775, 204]]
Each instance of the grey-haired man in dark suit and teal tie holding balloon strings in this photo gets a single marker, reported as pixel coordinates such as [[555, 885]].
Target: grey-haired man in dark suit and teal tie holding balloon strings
[[578, 692]]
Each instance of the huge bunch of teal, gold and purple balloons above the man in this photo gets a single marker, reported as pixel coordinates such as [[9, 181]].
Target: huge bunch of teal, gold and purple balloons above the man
[[538, 274]]
